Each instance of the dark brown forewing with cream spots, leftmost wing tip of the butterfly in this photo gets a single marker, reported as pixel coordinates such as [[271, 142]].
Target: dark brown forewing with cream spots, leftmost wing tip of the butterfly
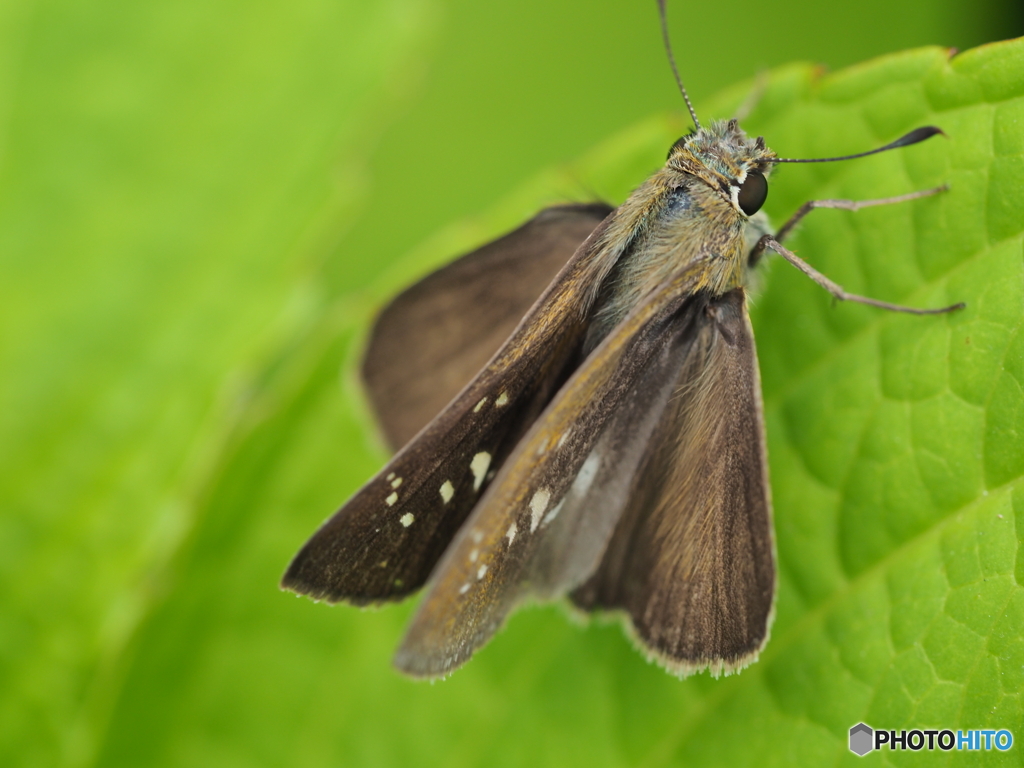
[[385, 543]]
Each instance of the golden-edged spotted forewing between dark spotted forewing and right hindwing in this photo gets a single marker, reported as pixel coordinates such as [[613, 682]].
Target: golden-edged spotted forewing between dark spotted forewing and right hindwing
[[489, 567]]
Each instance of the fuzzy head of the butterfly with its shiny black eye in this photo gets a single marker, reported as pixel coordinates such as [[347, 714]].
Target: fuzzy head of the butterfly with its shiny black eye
[[728, 160]]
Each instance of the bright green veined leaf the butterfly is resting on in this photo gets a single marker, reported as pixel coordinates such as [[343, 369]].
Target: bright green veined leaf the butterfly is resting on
[[897, 468]]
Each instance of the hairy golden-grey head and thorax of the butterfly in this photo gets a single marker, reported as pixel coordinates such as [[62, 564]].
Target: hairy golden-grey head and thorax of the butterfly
[[686, 219]]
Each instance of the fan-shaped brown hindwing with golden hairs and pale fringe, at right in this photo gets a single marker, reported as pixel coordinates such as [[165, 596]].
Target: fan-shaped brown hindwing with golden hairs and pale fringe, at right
[[692, 562]]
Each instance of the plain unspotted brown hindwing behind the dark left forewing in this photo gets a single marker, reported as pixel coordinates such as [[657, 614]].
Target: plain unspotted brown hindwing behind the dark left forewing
[[435, 337]]
